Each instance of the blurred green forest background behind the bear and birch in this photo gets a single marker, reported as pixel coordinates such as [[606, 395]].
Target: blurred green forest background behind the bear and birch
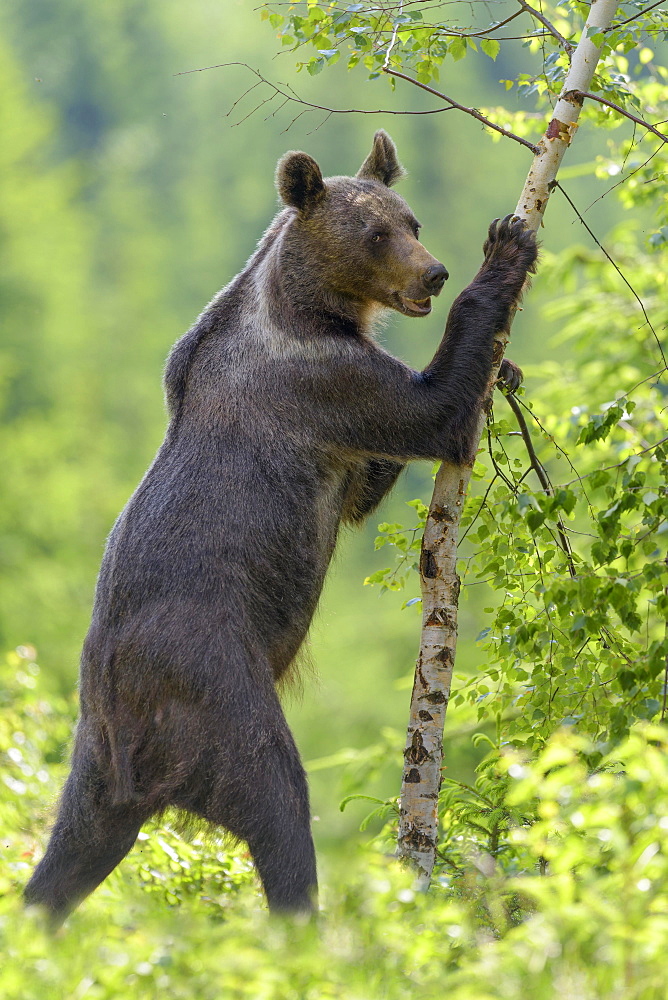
[[130, 196]]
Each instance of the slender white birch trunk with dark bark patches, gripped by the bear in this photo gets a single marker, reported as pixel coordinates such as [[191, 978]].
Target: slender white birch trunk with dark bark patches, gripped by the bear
[[418, 823]]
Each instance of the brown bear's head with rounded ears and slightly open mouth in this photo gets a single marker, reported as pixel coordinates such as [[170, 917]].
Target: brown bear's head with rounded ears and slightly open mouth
[[355, 238]]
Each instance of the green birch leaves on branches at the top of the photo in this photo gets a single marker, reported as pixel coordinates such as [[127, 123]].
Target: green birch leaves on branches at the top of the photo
[[383, 38]]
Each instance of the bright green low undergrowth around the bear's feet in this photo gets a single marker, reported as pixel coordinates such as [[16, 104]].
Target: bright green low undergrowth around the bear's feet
[[575, 901]]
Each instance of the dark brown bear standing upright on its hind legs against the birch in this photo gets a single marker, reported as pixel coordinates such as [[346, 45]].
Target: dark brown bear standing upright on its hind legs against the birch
[[287, 419]]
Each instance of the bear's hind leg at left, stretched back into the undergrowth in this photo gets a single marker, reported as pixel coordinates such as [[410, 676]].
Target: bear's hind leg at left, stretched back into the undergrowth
[[90, 837]]
